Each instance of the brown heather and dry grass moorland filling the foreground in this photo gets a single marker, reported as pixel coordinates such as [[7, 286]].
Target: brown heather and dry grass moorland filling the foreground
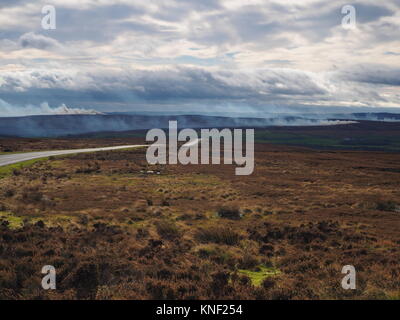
[[114, 231]]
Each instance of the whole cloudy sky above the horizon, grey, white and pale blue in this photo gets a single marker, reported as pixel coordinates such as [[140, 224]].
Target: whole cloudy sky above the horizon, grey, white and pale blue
[[198, 56]]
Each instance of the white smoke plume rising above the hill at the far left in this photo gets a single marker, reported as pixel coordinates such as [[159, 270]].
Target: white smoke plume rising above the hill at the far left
[[8, 110]]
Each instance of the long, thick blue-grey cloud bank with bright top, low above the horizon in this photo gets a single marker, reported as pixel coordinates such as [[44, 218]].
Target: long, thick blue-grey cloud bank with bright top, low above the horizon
[[172, 83]]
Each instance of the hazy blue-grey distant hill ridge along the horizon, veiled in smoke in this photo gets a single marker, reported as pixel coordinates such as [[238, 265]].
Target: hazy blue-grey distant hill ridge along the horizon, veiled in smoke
[[62, 125]]
